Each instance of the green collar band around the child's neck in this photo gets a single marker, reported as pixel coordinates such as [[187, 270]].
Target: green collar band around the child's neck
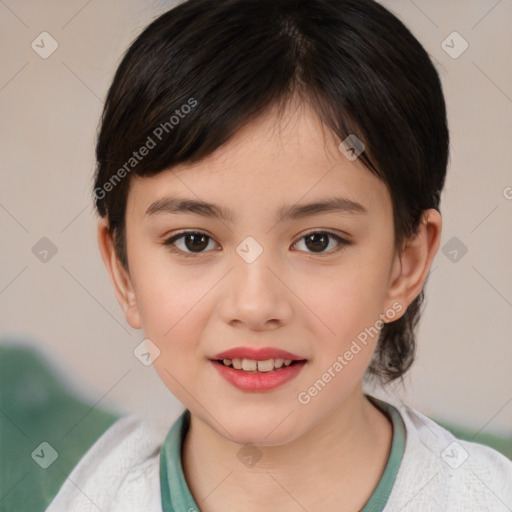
[[176, 495]]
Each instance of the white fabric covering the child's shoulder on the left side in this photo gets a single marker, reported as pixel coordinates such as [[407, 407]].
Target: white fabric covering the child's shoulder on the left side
[[120, 472]]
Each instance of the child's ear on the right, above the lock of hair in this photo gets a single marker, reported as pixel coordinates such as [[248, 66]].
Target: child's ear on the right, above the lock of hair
[[412, 264]]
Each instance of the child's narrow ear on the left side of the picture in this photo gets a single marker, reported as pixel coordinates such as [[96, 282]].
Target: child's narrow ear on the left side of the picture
[[119, 276]]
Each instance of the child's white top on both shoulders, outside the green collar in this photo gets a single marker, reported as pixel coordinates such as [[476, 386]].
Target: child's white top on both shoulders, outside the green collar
[[438, 472]]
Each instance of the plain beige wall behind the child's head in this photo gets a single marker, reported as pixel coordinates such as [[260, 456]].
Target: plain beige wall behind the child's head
[[50, 109]]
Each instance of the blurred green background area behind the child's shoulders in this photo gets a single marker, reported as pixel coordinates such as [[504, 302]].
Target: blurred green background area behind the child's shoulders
[[36, 407]]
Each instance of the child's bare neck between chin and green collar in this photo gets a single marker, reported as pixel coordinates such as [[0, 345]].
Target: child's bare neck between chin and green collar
[[347, 452]]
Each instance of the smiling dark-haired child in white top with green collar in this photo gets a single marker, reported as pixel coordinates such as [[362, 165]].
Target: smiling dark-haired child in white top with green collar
[[268, 184]]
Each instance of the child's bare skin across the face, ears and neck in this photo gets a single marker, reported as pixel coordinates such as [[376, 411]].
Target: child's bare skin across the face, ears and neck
[[330, 453]]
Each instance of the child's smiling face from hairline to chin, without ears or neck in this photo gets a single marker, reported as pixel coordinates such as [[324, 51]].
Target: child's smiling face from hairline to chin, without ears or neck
[[313, 304]]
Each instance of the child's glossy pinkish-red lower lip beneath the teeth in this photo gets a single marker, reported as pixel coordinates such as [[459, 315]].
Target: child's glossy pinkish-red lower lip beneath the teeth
[[256, 382]]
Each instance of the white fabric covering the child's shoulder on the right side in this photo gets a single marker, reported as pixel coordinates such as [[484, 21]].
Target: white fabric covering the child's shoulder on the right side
[[441, 472]]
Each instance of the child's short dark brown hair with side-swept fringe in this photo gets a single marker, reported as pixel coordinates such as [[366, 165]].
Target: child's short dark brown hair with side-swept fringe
[[204, 69]]
